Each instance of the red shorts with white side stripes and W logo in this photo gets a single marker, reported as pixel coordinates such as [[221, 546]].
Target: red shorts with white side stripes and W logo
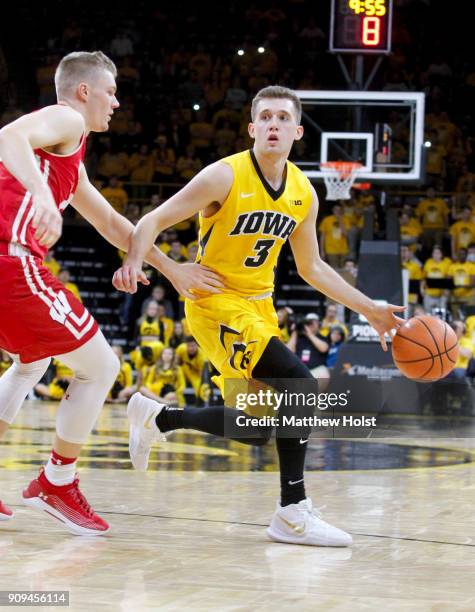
[[39, 317]]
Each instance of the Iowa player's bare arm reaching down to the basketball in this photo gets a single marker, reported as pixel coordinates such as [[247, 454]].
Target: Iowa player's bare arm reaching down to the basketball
[[322, 277]]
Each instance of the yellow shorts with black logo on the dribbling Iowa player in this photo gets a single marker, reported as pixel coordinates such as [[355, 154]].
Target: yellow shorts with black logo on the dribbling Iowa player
[[232, 331]]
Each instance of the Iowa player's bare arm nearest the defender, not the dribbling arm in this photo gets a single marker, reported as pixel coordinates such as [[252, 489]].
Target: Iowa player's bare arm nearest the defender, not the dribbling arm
[[211, 185]]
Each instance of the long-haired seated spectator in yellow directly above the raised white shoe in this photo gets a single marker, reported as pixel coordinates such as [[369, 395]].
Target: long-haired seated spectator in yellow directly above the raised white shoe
[[165, 382]]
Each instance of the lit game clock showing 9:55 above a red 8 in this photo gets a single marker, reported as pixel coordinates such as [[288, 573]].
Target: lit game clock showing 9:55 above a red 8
[[361, 26]]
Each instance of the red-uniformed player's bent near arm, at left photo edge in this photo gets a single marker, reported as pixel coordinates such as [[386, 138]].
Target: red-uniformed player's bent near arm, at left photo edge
[[49, 127]]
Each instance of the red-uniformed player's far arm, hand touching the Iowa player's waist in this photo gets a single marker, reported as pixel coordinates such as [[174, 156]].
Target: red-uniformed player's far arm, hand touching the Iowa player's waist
[[117, 230]]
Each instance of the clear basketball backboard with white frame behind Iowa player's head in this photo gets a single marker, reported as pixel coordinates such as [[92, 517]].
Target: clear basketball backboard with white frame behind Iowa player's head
[[382, 130]]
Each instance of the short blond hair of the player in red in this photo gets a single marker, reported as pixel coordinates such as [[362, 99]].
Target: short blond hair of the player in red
[[77, 67]]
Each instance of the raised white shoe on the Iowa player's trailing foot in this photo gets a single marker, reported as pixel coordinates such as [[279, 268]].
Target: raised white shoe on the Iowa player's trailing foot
[[143, 430]]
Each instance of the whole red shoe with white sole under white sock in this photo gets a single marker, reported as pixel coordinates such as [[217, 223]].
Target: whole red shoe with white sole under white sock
[[65, 503]]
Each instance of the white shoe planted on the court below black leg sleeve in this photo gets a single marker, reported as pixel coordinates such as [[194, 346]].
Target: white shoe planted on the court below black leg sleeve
[[301, 524]]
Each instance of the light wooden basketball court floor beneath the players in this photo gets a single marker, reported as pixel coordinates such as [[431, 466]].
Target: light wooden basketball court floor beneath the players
[[190, 533]]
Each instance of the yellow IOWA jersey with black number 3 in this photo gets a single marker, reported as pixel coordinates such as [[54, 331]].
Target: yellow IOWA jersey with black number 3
[[243, 239]]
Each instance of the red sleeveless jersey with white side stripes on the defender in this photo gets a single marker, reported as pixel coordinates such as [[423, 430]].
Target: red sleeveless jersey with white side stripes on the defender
[[16, 211]]
